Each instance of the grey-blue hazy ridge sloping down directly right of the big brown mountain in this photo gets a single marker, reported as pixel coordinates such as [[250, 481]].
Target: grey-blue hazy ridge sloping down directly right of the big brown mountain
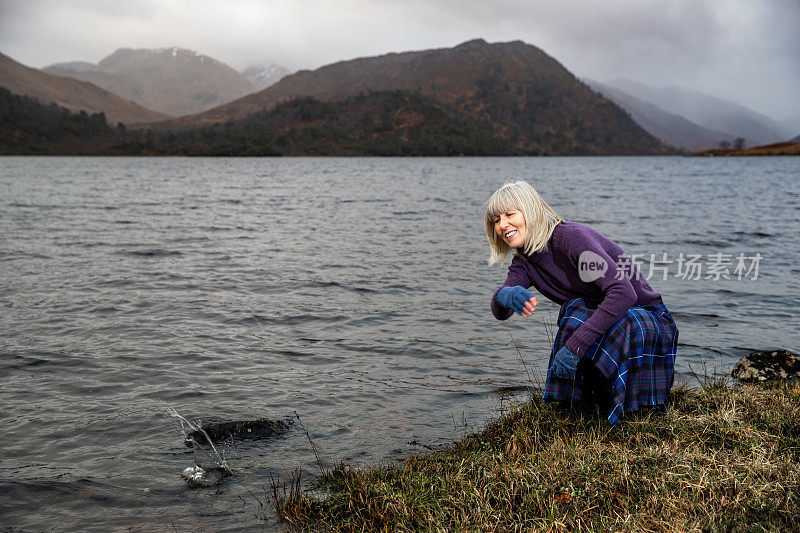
[[671, 128]]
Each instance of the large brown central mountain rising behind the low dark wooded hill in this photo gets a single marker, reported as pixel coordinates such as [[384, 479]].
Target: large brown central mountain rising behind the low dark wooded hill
[[526, 96]]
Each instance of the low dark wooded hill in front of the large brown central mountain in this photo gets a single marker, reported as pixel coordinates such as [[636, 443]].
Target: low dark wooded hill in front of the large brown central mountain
[[382, 123]]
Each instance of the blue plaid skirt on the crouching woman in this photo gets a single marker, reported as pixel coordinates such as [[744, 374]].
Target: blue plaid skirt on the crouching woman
[[634, 359]]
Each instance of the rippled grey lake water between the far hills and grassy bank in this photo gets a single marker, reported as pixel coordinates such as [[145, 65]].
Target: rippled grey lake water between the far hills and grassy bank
[[354, 292]]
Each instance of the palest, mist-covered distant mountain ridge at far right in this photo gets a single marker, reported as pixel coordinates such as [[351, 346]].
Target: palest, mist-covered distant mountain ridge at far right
[[707, 111]]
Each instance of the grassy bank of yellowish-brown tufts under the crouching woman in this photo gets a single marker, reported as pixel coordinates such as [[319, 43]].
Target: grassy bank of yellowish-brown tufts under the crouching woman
[[723, 458]]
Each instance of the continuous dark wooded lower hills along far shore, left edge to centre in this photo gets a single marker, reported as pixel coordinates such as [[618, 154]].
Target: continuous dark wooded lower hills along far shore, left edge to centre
[[379, 123]]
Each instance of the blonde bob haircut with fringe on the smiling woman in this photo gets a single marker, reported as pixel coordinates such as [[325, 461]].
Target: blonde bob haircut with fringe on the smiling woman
[[540, 218]]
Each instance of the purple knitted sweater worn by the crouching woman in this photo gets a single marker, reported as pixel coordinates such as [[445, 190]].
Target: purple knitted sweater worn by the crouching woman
[[555, 273]]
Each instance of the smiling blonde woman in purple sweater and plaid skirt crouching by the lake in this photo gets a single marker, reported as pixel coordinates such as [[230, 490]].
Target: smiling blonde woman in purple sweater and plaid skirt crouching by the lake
[[616, 341]]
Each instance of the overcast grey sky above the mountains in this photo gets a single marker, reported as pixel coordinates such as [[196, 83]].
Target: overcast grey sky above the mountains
[[747, 51]]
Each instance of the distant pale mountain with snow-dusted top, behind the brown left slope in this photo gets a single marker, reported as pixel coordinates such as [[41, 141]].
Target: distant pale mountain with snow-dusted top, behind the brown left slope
[[173, 80]]
